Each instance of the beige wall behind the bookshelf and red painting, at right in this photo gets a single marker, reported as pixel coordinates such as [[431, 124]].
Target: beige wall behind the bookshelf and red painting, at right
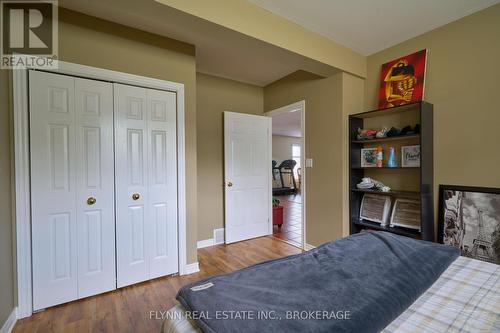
[[463, 83]]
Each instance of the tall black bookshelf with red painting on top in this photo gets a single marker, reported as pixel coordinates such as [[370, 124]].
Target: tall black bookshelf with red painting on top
[[425, 171]]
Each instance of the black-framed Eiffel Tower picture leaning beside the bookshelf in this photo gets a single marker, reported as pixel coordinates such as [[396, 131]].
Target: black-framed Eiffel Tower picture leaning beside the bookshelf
[[469, 219]]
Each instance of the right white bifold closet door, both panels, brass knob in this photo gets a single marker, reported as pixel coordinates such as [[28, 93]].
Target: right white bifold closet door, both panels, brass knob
[[146, 183]]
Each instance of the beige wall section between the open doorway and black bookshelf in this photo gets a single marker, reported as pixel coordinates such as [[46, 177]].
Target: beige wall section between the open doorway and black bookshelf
[[323, 140]]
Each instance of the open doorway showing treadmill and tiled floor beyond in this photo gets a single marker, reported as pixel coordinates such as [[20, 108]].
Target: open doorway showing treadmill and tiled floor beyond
[[288, 171]]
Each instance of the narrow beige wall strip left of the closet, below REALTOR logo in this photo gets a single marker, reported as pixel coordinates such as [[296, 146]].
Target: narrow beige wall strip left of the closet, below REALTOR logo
[[6, 236]]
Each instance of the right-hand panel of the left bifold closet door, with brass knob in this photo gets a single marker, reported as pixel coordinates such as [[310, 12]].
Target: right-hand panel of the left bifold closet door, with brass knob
[[95, 183]]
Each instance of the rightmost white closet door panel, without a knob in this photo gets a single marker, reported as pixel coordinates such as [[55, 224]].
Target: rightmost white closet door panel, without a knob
[[162, 227]]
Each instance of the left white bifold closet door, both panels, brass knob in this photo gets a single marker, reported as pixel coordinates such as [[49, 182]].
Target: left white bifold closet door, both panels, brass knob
[[72, 188]]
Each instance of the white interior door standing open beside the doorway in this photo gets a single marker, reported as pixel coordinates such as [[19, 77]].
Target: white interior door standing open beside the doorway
[[247, 156]]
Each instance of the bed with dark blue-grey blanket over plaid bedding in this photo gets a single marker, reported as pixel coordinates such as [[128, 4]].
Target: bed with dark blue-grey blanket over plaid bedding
[[409, 286]]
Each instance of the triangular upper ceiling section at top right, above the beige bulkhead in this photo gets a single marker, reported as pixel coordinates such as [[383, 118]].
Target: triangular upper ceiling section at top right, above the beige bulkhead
[[369, 26]]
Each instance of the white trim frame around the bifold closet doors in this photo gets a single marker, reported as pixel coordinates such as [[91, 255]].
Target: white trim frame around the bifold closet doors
[[22, 187]]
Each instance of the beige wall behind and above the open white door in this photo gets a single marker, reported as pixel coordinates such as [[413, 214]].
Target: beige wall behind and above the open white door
[[214, 96]]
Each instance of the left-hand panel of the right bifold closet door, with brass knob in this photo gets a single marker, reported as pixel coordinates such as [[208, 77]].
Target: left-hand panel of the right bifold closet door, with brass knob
[[131, 140]]
